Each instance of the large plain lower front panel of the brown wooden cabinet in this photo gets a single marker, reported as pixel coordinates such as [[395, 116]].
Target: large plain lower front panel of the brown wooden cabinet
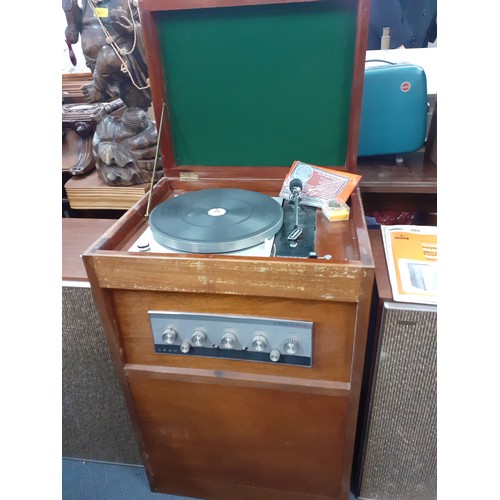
[[213, 431]]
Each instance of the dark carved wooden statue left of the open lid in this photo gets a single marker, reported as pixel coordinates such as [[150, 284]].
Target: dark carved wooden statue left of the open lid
[[110, 30]]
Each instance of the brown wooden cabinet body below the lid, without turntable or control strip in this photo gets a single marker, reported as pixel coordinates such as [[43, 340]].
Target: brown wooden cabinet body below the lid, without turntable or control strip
[[225, 428]]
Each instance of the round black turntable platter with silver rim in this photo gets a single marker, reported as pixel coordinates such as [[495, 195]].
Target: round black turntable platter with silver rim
[[216, 220]]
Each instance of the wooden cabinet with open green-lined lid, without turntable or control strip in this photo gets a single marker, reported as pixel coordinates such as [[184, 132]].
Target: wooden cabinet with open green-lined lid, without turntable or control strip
[[217, 428]]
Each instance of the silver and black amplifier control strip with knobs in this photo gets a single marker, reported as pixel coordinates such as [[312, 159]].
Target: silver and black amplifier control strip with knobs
[[247, 338]]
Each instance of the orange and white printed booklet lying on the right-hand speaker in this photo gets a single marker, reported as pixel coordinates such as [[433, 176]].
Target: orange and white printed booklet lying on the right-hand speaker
[[411, 254]]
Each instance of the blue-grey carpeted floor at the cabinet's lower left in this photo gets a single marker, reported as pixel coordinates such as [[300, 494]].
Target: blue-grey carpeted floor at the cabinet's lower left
[[87, 480]]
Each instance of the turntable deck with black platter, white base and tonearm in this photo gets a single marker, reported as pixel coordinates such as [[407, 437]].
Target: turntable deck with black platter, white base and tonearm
[[231, 222]]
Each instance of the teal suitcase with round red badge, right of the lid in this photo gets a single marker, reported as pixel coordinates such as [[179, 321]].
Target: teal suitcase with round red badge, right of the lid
[[394, 109]]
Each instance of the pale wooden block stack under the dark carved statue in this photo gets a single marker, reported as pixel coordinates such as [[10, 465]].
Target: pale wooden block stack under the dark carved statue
[[90, 192]]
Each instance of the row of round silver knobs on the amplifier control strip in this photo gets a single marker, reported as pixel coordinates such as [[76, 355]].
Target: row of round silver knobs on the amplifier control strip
[[228, 341]]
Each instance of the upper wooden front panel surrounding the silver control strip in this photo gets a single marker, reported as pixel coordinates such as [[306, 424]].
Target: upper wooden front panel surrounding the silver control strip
[[333, 331]]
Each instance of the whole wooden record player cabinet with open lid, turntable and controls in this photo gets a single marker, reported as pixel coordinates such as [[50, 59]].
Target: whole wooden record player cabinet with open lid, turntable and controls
[[236, 320]]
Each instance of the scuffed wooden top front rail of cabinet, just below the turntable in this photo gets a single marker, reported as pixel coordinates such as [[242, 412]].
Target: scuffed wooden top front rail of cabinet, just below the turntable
[[225, 275]]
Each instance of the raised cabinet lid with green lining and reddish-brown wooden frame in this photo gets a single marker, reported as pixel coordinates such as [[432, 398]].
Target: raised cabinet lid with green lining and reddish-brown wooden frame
[[253, 83]]
